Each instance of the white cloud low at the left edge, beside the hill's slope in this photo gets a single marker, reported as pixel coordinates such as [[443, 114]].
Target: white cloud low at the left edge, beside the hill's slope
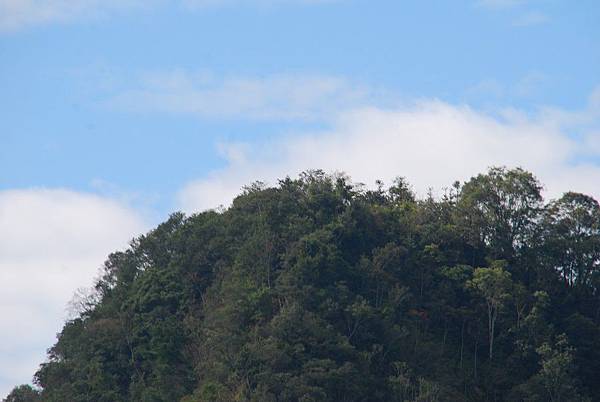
[[51, 243]]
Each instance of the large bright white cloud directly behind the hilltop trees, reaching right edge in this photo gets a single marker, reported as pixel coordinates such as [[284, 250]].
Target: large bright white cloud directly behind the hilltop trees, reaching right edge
[[431, 143]]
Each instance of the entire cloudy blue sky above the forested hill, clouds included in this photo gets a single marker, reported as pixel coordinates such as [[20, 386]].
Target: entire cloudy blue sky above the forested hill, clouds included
[[116, 113]]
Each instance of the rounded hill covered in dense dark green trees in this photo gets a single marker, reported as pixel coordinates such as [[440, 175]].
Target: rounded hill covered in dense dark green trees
[[320, 290]]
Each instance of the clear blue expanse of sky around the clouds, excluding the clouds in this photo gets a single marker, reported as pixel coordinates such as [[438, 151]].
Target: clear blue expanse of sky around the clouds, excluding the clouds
[[58, 77]]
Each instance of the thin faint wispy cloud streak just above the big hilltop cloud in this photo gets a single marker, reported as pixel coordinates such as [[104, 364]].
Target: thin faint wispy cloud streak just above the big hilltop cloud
[[284, 96]]
